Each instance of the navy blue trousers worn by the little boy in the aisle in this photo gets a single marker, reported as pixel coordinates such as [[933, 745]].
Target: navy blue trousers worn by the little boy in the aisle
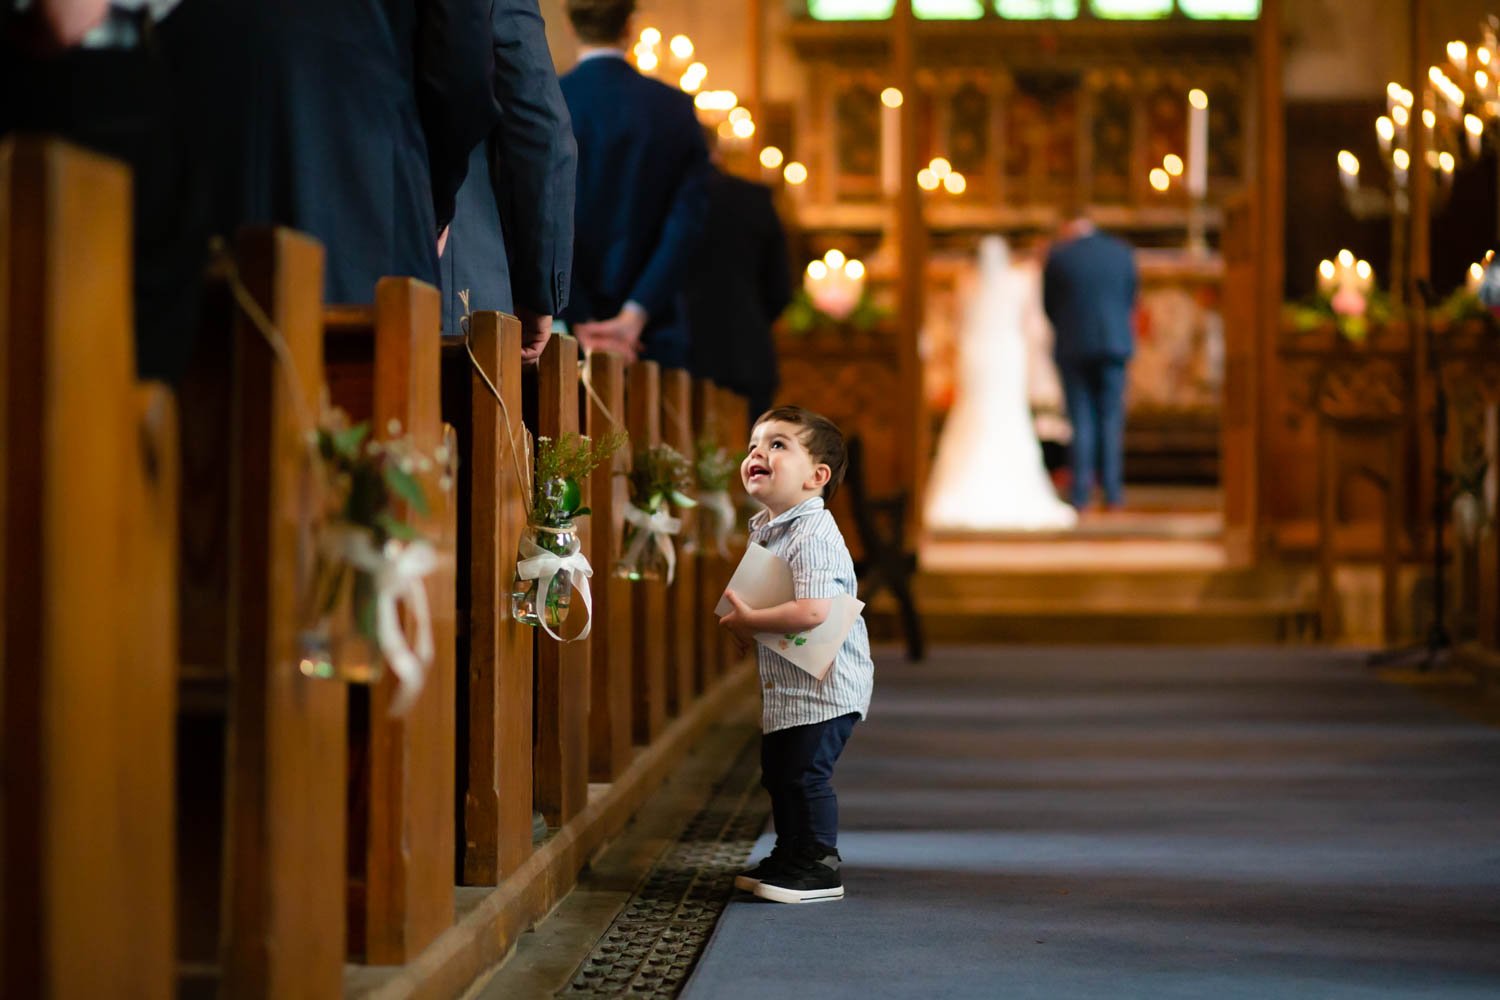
[[797, 768]]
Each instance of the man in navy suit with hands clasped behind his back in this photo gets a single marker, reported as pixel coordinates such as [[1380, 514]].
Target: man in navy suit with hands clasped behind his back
[[641, 194]]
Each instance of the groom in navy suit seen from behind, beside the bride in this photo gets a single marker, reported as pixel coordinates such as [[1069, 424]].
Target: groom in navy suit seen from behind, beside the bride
[[1090, 287]]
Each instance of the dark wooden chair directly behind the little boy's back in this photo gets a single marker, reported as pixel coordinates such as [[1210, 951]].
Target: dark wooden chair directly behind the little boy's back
[[886, 564]]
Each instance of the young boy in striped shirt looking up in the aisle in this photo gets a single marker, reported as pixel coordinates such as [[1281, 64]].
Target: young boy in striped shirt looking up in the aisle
[[797, 461]]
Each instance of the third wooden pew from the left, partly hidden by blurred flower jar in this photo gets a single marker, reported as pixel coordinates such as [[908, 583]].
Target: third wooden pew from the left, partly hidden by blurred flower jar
[[383, 365]]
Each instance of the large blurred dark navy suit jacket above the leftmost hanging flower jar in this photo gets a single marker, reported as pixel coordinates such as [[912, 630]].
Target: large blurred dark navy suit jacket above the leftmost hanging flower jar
[[346, 119]]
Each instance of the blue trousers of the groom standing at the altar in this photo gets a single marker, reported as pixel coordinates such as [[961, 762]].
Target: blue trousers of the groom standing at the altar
[[1096, 392]]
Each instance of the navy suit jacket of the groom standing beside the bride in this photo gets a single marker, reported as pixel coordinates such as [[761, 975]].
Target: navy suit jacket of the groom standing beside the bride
[[1090, 289]]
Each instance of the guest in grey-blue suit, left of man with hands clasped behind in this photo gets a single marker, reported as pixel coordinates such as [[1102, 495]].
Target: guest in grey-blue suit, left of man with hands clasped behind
[[511, 245]]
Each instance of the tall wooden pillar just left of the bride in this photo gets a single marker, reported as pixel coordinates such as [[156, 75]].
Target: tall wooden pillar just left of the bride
[[911, 242]]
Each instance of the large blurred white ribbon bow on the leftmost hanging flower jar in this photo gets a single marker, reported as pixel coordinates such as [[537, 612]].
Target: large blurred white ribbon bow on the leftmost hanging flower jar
[[398, 573]]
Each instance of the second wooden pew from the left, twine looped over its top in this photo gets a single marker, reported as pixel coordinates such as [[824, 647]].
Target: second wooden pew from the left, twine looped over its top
[[262, 756]]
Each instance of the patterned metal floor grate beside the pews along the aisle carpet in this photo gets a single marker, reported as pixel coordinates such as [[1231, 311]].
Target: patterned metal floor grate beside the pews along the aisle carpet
[[656, 941]]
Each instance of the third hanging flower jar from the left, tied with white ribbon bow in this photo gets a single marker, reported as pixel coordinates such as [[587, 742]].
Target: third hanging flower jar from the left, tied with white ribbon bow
[[659, 478]]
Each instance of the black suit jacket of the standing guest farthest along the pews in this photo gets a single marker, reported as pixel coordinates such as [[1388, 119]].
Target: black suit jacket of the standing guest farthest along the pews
[[737, 289]]
